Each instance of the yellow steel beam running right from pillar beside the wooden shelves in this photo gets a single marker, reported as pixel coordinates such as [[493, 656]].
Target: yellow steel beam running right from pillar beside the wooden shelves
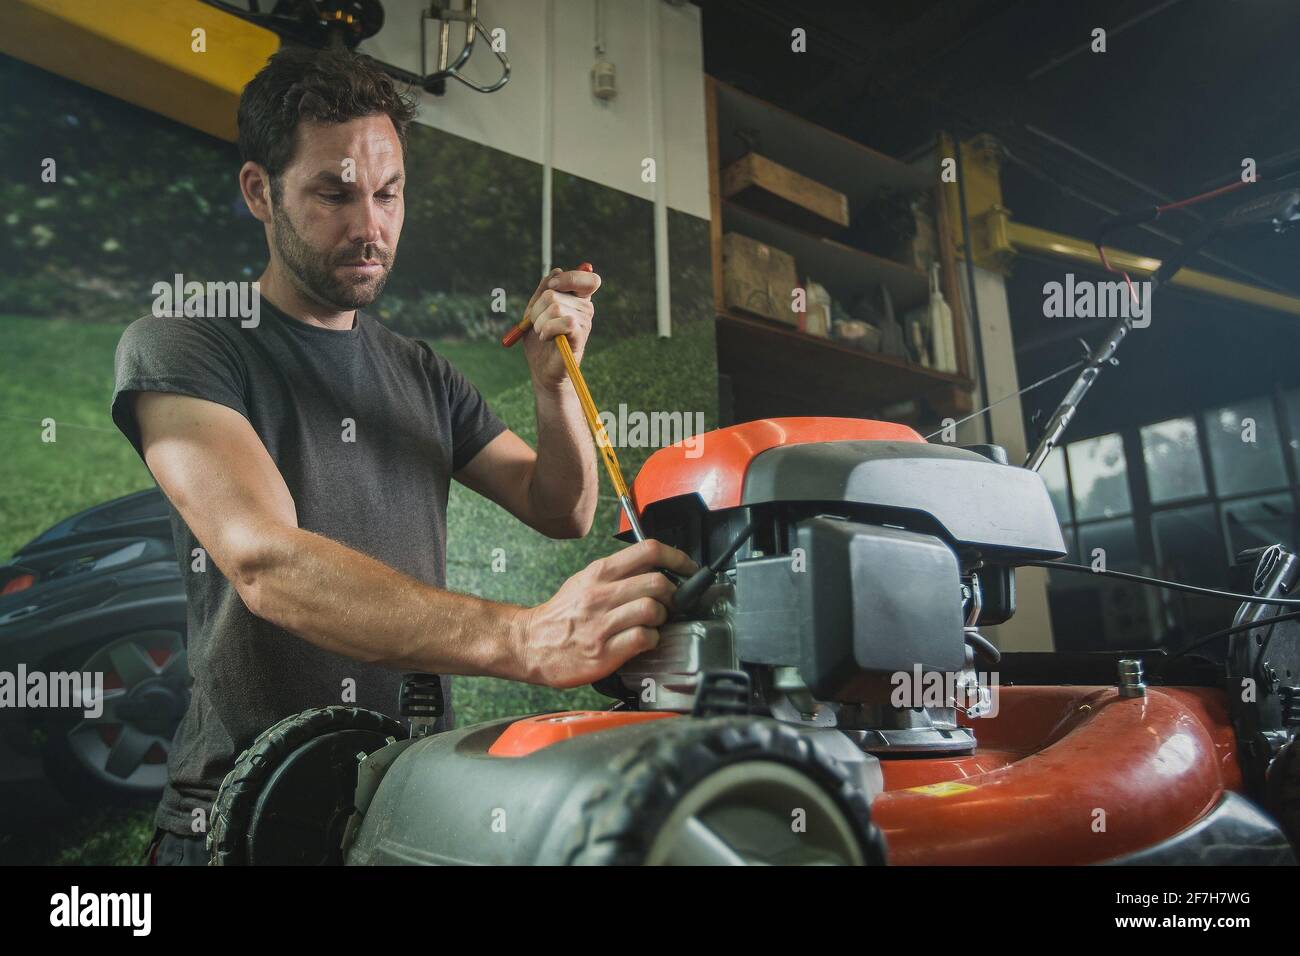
[[996, 240]]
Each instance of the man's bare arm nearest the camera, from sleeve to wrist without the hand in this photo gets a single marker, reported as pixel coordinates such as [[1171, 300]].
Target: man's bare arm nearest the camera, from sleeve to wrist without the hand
[[216, 471]]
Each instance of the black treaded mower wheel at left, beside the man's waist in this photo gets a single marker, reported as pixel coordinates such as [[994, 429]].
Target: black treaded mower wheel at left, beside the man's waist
[[323, 808]]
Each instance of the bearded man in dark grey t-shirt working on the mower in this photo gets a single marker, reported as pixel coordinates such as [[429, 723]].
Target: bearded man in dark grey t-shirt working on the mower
[[307, 458]]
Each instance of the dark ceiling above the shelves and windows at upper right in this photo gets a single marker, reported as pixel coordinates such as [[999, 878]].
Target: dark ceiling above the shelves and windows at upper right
[[1185, 92]]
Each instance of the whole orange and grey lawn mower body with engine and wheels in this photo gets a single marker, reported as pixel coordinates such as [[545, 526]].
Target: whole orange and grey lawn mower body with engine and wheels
[[827, 699]]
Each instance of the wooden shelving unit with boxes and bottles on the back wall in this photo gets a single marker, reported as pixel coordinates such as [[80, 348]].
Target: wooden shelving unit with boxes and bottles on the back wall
[[774, 370]]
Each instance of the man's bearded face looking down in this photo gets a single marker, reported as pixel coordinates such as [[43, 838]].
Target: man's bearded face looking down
[[340, 211]]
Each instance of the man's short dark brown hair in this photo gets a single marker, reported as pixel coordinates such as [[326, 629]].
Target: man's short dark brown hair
[[323, 85]]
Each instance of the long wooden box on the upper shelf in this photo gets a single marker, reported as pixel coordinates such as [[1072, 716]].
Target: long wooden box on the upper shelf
[[786, 196]]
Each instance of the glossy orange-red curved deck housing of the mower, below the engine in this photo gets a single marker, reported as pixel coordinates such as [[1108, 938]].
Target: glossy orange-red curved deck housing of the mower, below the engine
[[1103, 777]]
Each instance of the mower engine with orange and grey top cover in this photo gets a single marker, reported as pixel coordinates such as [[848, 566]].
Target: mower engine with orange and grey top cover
[[865, 564]]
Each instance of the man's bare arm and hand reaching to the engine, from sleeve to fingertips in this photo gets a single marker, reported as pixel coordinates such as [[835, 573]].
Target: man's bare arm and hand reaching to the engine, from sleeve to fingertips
[[218, 474]]
